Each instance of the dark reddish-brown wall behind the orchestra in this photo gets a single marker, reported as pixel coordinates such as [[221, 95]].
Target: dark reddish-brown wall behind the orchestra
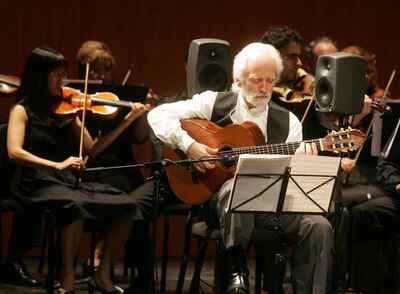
[[152, 35]]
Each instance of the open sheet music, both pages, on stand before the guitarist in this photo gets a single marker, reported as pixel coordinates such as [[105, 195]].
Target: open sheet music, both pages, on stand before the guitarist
[[249, 185]]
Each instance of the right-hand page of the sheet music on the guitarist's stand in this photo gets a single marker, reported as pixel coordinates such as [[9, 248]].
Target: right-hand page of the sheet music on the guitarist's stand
[[323, 168]]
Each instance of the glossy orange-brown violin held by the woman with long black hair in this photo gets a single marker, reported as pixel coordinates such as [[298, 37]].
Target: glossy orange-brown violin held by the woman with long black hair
[[71, 102]]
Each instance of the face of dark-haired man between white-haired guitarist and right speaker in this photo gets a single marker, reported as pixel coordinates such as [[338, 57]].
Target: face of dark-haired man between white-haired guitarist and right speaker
[[291, 61]]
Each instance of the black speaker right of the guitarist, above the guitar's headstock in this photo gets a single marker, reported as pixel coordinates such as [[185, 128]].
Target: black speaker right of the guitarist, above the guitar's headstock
[[340, 83]]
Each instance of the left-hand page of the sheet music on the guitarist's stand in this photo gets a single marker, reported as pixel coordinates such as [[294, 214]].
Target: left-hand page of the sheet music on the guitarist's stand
[[253, 176]]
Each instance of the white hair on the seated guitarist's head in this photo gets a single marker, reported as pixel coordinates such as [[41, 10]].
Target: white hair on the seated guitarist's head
[[255, 51]]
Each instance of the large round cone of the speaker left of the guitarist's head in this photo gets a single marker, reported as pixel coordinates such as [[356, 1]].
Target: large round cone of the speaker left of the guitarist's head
[[213, 77]]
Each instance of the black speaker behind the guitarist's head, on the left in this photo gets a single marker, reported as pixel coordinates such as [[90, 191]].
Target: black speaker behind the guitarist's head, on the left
[[208, 66]]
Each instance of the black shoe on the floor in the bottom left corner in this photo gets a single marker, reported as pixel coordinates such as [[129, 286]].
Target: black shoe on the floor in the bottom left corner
[[15, 273]]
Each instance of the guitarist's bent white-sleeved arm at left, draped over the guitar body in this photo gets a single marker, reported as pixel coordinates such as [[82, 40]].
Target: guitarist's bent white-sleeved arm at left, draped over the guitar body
[[165, 119]]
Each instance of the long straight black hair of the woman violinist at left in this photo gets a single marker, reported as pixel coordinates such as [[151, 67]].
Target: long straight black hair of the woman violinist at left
[[34, 90]]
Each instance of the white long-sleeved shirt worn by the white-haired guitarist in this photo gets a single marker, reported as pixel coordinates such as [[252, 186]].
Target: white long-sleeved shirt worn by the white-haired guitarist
[[165, 119]]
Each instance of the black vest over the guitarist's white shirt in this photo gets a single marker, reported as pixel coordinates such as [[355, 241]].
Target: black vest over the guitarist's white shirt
[[278, 117]]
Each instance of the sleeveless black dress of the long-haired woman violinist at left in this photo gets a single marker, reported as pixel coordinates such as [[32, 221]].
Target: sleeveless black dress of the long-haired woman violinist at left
[[48, 188]]
